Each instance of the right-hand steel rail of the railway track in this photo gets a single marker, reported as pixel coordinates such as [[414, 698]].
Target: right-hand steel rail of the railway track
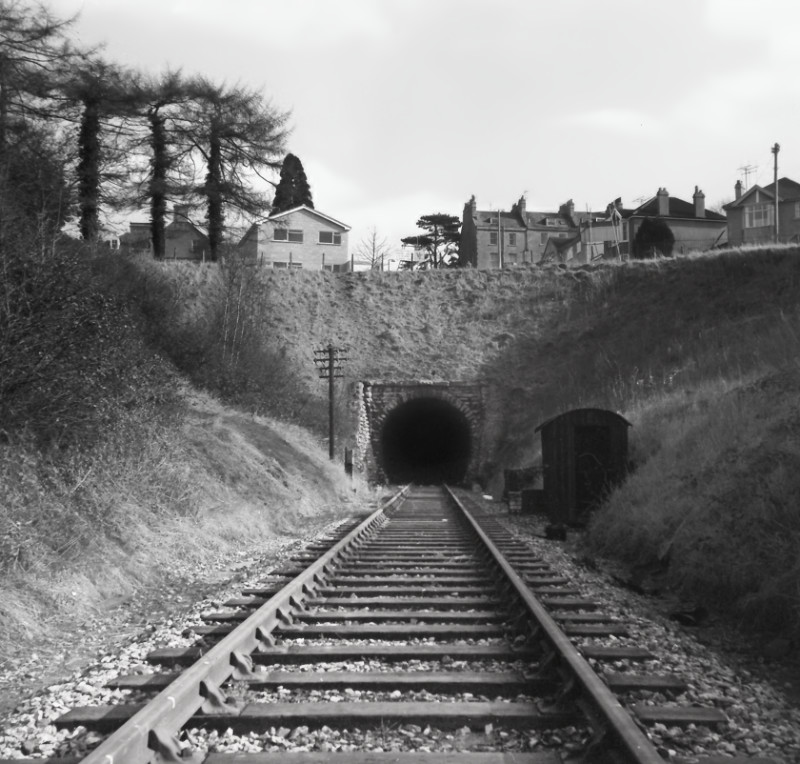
[[617, 721]]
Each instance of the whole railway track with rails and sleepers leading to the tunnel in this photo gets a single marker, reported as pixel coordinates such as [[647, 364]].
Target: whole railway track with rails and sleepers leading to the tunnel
[[426, 619]]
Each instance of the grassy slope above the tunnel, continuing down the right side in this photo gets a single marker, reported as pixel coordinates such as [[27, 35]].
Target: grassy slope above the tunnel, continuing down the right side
[[700, 353]]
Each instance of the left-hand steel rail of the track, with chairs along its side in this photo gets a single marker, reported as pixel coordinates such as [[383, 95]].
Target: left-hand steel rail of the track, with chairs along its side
[[151, 734]]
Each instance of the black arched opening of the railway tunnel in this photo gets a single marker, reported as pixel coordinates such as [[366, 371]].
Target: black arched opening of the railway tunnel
[[426, 441]]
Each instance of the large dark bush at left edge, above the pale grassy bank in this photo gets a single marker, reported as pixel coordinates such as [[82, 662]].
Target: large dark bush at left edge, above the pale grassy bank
[[72, 359]]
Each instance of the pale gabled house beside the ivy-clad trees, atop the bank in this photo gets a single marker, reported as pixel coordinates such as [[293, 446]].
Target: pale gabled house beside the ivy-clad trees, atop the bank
[[301, 237]]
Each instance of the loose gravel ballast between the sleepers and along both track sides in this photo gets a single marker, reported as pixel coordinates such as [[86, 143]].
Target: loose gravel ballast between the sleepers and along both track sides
[[763, 720]]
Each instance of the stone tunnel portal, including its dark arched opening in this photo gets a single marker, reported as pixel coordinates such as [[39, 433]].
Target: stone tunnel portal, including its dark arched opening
[[441, 416]]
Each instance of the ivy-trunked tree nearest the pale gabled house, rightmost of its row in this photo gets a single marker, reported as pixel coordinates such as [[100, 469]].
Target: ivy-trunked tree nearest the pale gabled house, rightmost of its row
[[238, 135]]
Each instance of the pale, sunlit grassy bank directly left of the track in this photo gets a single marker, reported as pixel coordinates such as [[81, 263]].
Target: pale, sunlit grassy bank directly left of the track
[[214, 487]]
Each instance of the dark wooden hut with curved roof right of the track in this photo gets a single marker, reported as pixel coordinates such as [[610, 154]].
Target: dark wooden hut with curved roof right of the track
[[584, 453]]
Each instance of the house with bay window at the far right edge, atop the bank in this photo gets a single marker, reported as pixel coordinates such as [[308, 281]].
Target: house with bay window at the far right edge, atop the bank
[[751, 215]]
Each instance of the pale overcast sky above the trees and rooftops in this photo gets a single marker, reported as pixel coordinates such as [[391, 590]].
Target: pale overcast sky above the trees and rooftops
[[405, 107]]
